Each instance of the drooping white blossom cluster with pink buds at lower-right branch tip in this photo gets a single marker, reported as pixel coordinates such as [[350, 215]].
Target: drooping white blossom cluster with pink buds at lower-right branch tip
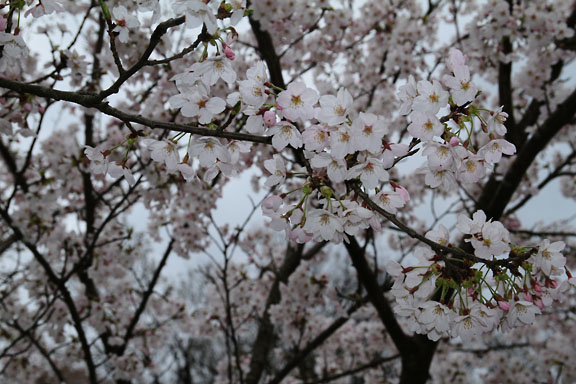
[[506, 287]]
